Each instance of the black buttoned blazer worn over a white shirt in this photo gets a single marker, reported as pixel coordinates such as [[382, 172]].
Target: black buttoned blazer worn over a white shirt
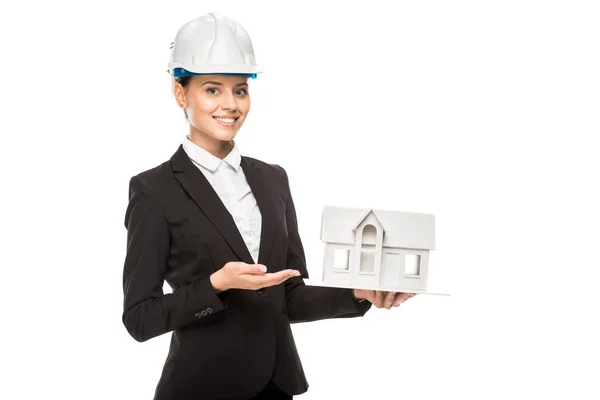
[[227, 345]]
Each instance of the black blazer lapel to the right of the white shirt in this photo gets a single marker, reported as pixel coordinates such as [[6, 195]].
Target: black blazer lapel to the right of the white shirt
[[263, 194]]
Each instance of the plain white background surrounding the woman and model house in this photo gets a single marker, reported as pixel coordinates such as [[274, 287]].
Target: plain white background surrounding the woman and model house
[[483, 113]]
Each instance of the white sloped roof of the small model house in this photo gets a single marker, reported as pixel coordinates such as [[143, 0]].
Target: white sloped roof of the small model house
[[401, 229]]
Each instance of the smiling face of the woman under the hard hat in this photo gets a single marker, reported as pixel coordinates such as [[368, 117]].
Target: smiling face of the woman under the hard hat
[[216, 106]]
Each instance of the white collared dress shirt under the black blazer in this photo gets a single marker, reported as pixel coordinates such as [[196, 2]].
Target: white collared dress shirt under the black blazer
[[229, 182]]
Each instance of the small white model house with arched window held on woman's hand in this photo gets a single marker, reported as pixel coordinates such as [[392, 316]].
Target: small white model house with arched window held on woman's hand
[[377, 249]]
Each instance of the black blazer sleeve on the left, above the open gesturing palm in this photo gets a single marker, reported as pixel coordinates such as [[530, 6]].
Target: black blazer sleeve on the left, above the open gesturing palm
[[147, 311]]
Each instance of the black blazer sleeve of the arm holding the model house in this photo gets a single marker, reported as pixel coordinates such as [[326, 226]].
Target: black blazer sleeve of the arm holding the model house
[[312, 303]]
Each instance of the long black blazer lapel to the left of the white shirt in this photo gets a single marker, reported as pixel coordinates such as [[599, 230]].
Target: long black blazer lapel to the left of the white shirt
[[200, 190]]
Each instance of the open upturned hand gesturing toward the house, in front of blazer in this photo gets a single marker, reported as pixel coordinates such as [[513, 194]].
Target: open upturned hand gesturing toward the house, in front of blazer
[[239, 275]]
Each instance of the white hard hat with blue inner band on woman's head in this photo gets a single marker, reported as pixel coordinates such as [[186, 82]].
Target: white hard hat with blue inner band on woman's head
[[212, 44]]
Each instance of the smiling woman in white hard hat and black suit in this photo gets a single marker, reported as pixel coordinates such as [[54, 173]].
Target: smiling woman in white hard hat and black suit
[[221, 229]]
